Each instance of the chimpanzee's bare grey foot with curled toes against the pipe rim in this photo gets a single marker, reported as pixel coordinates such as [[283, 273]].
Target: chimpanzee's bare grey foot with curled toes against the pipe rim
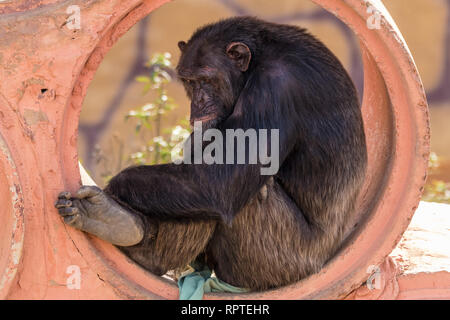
[[92, 211]]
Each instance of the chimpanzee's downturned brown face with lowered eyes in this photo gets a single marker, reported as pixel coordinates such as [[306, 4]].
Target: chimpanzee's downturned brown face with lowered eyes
[[212, 81]]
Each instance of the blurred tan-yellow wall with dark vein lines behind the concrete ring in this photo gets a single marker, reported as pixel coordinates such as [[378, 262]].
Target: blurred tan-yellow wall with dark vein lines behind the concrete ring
[[425, 25]]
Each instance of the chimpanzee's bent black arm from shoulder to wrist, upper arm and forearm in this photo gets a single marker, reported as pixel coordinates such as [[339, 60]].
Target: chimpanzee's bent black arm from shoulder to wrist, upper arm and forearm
[[218, 191]]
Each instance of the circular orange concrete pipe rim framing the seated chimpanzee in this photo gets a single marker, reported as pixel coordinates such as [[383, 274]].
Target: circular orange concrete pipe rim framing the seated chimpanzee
[[400, 192]]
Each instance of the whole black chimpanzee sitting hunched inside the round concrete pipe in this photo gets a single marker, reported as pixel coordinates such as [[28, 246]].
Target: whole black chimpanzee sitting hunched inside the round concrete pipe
[[256, 231]]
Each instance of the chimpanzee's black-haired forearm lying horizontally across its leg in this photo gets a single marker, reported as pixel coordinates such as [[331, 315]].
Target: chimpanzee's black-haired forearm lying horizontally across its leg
[[186, 191]]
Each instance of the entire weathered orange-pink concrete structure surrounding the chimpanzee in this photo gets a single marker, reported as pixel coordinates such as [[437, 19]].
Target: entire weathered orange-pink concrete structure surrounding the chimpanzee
[[46, 68]]
